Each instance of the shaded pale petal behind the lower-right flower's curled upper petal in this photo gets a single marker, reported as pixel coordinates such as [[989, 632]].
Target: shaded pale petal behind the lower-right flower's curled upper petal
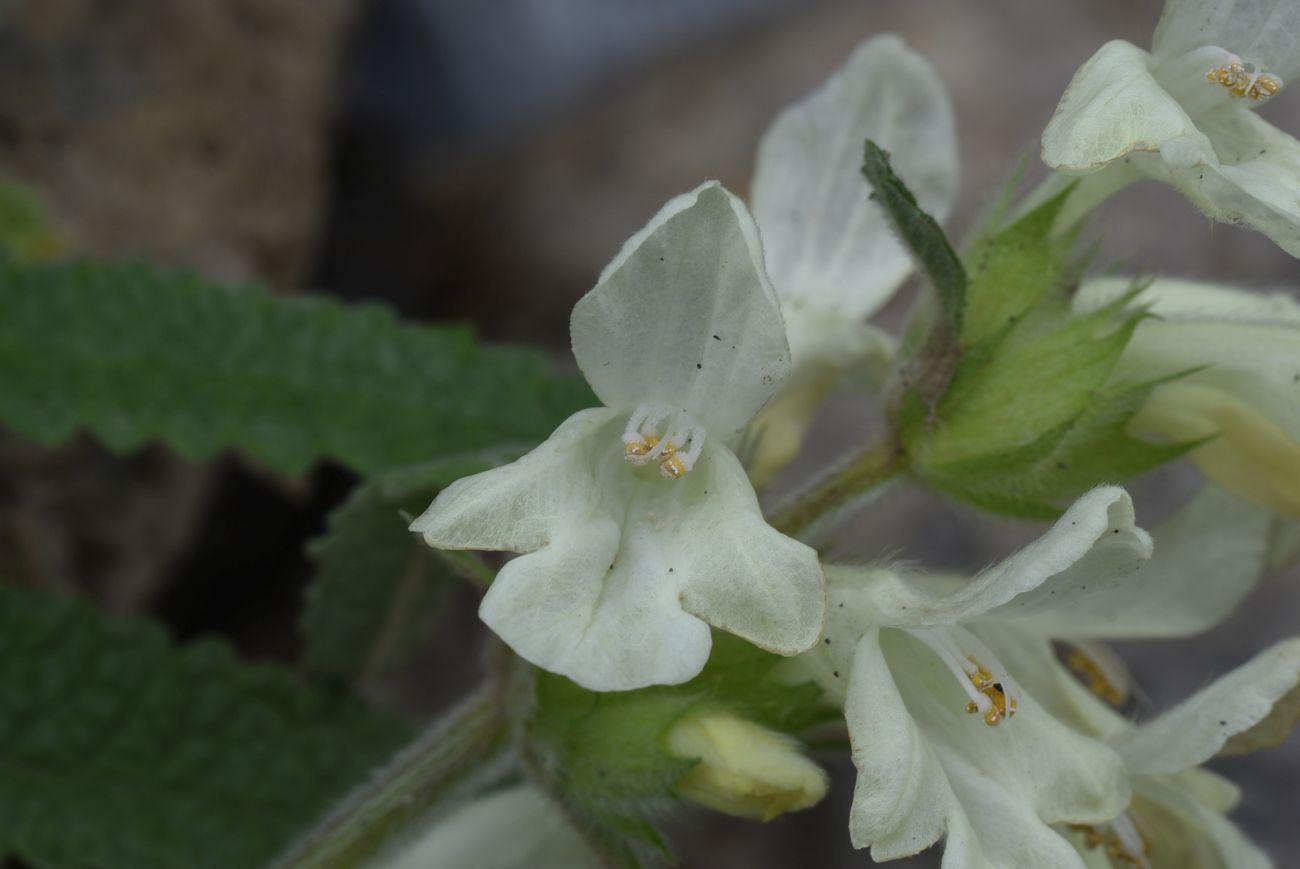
[[1207, 559]]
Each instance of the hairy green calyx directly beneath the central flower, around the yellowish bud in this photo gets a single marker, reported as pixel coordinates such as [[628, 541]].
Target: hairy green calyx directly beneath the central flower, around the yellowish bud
[[605, 756]]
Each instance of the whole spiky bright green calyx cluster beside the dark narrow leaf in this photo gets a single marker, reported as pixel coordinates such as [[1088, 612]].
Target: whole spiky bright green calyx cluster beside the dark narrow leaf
[[1024, 414]]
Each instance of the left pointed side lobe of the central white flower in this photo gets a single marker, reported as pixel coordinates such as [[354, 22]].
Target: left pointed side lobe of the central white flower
[[519, 507]]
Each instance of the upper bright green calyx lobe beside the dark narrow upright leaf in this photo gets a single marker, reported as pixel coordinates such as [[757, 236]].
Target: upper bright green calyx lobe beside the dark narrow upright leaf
[[1013, 270]]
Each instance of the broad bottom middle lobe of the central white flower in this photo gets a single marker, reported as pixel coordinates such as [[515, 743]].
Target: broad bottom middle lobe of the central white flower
[[599, 607]]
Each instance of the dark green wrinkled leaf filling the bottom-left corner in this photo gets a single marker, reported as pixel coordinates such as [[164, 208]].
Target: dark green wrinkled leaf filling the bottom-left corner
[[120, 751]]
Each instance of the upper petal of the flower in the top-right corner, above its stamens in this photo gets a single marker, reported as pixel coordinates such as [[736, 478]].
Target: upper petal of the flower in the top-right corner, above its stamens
[[1262, 32]]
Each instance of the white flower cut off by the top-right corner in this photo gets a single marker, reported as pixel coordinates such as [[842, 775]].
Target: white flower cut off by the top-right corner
[[1184, 114]]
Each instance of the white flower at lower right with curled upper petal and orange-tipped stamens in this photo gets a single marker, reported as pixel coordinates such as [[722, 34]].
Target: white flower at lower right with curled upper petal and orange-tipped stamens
[[946, 740]]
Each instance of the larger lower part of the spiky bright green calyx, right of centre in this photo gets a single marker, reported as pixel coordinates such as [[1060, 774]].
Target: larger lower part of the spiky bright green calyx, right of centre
[[1032, 416]]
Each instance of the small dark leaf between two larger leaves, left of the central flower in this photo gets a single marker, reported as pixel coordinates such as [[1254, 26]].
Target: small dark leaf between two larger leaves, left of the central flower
[[378, 587]]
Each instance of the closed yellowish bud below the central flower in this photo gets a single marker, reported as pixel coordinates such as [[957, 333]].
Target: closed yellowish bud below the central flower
[[744, 769]]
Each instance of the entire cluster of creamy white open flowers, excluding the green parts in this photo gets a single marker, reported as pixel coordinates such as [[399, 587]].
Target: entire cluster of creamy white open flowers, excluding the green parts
[[982, 712]]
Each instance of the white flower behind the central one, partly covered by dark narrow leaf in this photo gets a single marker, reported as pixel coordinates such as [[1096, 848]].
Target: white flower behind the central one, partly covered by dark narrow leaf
[[830, 250]]
